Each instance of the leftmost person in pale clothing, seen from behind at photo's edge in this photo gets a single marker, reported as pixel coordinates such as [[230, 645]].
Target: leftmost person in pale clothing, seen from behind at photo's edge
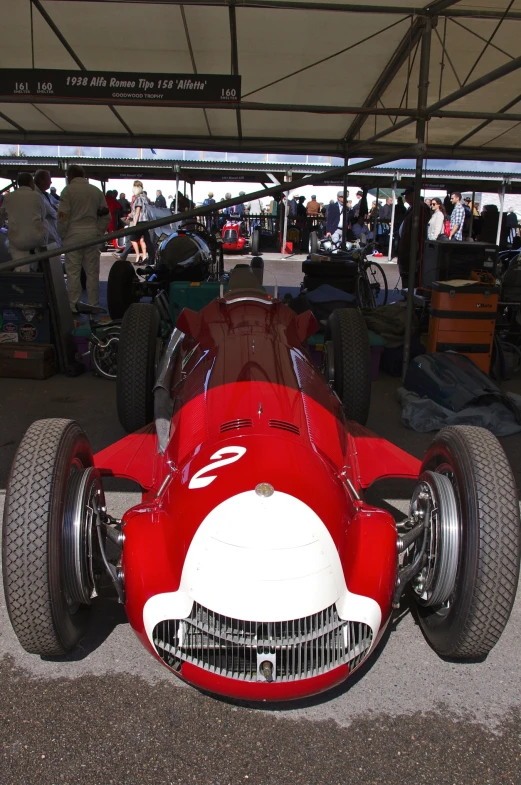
[[26, 228]]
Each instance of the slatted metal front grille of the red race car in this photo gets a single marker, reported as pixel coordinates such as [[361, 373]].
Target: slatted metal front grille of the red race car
[[296, 649]]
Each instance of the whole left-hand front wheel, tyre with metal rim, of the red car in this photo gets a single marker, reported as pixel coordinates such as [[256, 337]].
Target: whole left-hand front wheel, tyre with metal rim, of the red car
[[47, 537]]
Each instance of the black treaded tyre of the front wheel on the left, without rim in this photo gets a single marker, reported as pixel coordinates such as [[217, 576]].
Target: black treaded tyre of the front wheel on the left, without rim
[[32, 547]]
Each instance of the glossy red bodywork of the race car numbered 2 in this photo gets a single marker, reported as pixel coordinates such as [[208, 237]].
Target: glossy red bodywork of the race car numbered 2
[[244, 378]]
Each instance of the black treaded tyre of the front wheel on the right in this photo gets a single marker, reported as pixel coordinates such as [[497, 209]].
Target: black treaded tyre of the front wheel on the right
[[469, 625]]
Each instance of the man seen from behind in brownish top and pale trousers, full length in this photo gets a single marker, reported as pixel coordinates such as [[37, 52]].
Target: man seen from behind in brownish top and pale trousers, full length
[[82, 215]]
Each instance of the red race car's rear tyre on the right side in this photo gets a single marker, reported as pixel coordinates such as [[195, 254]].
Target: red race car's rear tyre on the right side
[[347, 332]]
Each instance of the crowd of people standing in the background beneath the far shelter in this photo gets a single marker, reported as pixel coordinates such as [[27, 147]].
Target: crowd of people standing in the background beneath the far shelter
[[40, 219]]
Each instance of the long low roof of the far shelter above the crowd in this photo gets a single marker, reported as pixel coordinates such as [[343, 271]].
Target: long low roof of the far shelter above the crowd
[[107, 169]]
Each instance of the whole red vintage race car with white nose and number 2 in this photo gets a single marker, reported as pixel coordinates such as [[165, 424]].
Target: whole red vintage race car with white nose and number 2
[[254, 567]]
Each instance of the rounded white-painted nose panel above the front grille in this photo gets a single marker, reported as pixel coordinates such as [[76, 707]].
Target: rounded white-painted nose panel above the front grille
[[268, 558]]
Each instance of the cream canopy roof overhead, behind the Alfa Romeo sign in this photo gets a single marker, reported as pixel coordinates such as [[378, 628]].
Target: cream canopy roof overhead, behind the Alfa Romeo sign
[[317, 77]]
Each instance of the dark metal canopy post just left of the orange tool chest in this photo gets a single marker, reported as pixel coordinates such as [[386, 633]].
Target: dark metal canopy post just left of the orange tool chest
[[416, 228]]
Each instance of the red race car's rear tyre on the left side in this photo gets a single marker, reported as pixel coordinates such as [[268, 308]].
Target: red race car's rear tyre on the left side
[[137, 359]]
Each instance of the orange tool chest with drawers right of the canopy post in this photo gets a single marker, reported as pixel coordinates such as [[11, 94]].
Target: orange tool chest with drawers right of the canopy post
[[462, 319]]
